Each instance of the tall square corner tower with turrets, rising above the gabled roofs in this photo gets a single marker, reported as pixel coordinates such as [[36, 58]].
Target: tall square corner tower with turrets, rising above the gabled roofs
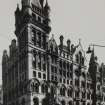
[[32, 29]]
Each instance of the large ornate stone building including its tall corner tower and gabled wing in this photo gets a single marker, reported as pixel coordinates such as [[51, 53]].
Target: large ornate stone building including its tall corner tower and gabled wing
[[37, 71]]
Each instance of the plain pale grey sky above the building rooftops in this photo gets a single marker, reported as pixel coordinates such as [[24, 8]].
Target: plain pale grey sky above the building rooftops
[[74, 19]]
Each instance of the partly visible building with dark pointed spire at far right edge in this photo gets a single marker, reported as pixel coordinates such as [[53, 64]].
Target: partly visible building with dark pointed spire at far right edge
[[97, 75]]
